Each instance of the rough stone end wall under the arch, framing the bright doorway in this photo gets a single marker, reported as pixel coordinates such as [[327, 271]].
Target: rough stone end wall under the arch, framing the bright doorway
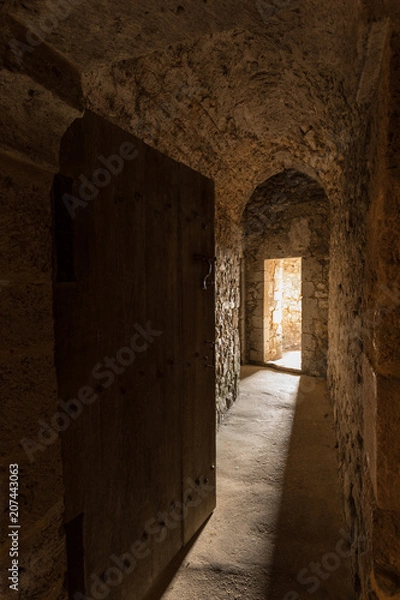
[[288, 216]]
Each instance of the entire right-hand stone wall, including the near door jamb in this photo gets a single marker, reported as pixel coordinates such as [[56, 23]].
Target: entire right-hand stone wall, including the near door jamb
[[364, 325]]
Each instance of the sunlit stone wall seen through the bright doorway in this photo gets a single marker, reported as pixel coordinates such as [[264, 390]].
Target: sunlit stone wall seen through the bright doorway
[[291, 304]]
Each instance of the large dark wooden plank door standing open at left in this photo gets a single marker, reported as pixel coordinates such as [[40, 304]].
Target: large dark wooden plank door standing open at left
[[134, 325]]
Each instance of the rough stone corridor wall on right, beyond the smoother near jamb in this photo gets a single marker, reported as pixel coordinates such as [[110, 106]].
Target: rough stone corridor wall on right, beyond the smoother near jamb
[[345, 371]]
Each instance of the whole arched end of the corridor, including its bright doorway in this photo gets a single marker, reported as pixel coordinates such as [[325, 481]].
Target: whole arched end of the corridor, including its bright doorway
[[287, 218]]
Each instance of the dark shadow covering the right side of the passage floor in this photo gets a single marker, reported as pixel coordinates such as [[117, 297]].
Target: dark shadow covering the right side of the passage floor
[[311, 555]]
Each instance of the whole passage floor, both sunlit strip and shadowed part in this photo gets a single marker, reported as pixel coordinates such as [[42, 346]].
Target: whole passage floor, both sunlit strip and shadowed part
[[279, 506]]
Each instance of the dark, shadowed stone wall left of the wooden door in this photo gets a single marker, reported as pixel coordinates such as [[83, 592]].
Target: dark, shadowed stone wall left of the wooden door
[[28, 384]]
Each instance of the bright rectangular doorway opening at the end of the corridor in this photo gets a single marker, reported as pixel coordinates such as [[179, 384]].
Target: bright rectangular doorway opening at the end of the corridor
[[283, 312]]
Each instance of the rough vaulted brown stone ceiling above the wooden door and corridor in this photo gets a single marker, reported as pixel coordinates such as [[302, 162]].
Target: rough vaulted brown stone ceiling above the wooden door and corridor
[[236, 90]]
